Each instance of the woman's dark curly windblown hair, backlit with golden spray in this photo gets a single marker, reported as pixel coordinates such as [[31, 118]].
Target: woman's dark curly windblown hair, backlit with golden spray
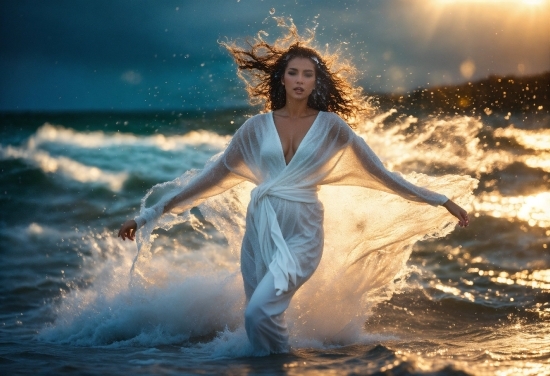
[[262, 65]]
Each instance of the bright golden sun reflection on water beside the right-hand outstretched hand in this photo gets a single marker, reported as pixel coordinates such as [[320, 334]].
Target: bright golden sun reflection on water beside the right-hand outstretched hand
[[533, 209]]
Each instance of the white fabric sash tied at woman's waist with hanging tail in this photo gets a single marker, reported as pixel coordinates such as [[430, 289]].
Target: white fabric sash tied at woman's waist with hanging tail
[[273, 248]]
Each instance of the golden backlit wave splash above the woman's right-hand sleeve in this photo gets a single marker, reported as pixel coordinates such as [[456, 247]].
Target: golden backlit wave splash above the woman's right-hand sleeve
[[412, 145]]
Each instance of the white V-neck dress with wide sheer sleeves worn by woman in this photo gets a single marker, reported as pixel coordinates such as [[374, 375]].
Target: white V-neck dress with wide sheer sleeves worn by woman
[[284, 237]]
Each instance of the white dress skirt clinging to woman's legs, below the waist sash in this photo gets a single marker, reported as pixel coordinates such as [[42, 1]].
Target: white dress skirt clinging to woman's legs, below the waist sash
[[302, 228]]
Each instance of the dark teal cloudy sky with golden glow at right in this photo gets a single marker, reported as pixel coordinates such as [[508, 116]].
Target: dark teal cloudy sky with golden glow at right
[[73, 55]]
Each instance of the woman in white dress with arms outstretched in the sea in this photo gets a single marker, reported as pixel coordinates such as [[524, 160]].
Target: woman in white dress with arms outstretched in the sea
[[288, 153]]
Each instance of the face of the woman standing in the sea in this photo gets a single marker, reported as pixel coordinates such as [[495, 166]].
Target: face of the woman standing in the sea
[[299, 78]]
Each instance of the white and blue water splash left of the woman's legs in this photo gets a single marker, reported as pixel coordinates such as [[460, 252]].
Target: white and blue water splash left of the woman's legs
[[190, 298]]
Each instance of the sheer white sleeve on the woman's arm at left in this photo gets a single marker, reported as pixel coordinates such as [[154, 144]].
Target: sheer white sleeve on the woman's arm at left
[[221, 172]]
